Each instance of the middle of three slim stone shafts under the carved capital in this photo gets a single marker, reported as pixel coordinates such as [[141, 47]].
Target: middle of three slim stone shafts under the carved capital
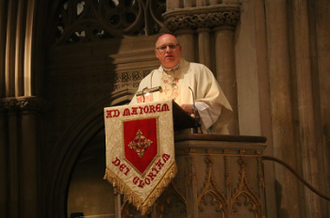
[[204, 46]]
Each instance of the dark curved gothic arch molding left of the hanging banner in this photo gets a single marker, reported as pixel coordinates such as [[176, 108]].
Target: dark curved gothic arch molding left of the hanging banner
[[69, 146]]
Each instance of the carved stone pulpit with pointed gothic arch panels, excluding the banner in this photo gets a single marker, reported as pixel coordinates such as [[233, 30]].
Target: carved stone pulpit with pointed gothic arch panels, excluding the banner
[[218, 176]]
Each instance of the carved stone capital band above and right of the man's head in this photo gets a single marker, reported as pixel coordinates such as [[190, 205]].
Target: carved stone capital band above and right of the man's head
[[202, 17]]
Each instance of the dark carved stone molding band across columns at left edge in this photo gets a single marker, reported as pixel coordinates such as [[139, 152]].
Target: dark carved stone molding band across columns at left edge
[[26, 104]]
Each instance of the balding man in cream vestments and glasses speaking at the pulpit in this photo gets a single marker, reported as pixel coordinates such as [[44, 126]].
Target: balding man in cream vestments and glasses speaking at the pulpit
[[185, 82]]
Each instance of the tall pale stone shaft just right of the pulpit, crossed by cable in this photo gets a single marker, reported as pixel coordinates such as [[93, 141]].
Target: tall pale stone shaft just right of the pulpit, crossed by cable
[[281, 107]]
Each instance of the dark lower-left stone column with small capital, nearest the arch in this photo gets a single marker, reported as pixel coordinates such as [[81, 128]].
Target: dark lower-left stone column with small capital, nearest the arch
[[29, 159]]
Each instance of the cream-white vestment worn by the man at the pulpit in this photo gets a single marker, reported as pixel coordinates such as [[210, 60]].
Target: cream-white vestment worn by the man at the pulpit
[[211, 103]]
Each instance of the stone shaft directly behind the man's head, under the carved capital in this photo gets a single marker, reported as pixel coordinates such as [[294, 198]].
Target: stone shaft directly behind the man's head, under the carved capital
[[186, 39]]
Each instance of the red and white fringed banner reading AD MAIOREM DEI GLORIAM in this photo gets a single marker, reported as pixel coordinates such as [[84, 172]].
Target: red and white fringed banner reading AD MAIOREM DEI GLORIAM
[[140, 157]]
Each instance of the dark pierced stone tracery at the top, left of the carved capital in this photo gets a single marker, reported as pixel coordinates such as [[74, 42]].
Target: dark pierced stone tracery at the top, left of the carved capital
[[83, 21]]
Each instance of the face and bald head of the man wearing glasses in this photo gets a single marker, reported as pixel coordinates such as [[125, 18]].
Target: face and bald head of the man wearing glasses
[[168, 51]]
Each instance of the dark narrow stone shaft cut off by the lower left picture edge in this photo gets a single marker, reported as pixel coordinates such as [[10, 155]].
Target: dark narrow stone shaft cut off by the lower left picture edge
[[3, 163]]
